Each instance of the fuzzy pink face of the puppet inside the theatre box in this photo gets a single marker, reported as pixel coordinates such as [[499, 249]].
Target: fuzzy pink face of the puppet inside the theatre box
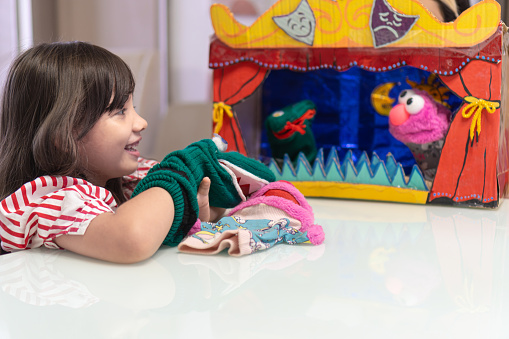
[[430, 124]]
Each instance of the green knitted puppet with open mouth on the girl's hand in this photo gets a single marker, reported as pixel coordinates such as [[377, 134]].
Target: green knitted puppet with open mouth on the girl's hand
[[233, 177]]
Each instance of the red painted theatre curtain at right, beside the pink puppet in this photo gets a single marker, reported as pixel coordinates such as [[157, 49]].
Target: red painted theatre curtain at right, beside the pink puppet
[[468, 168]]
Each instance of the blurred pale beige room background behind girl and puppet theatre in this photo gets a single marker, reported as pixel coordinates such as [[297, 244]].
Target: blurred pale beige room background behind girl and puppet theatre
[[165, 42]]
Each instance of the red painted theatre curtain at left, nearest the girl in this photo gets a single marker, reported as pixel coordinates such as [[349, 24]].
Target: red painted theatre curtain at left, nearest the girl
[[232, 84]]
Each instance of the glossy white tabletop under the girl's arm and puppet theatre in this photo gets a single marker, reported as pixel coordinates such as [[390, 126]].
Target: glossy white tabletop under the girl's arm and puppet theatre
[[385, 271]]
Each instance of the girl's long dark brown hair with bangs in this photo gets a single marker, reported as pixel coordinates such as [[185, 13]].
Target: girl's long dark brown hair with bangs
[[53, 96]]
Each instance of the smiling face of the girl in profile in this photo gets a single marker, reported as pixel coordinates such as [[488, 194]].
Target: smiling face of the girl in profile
[[110, 148]]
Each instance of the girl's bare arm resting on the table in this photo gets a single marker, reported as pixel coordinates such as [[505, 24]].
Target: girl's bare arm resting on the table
[[134, 232]]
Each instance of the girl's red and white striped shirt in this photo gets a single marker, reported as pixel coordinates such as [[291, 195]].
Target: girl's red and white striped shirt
[[49, 206]]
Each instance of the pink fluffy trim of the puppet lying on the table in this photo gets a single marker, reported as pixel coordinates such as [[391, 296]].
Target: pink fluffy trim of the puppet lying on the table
[[302, 212]]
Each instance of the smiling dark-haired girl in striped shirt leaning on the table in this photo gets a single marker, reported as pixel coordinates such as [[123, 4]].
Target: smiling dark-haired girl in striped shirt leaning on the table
[[69, 162]]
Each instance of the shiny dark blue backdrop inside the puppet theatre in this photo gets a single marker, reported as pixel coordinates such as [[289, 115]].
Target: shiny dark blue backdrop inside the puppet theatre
[[345, 118]]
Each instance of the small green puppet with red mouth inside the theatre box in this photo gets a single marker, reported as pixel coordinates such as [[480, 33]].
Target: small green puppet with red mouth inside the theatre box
[[289, 131]]
